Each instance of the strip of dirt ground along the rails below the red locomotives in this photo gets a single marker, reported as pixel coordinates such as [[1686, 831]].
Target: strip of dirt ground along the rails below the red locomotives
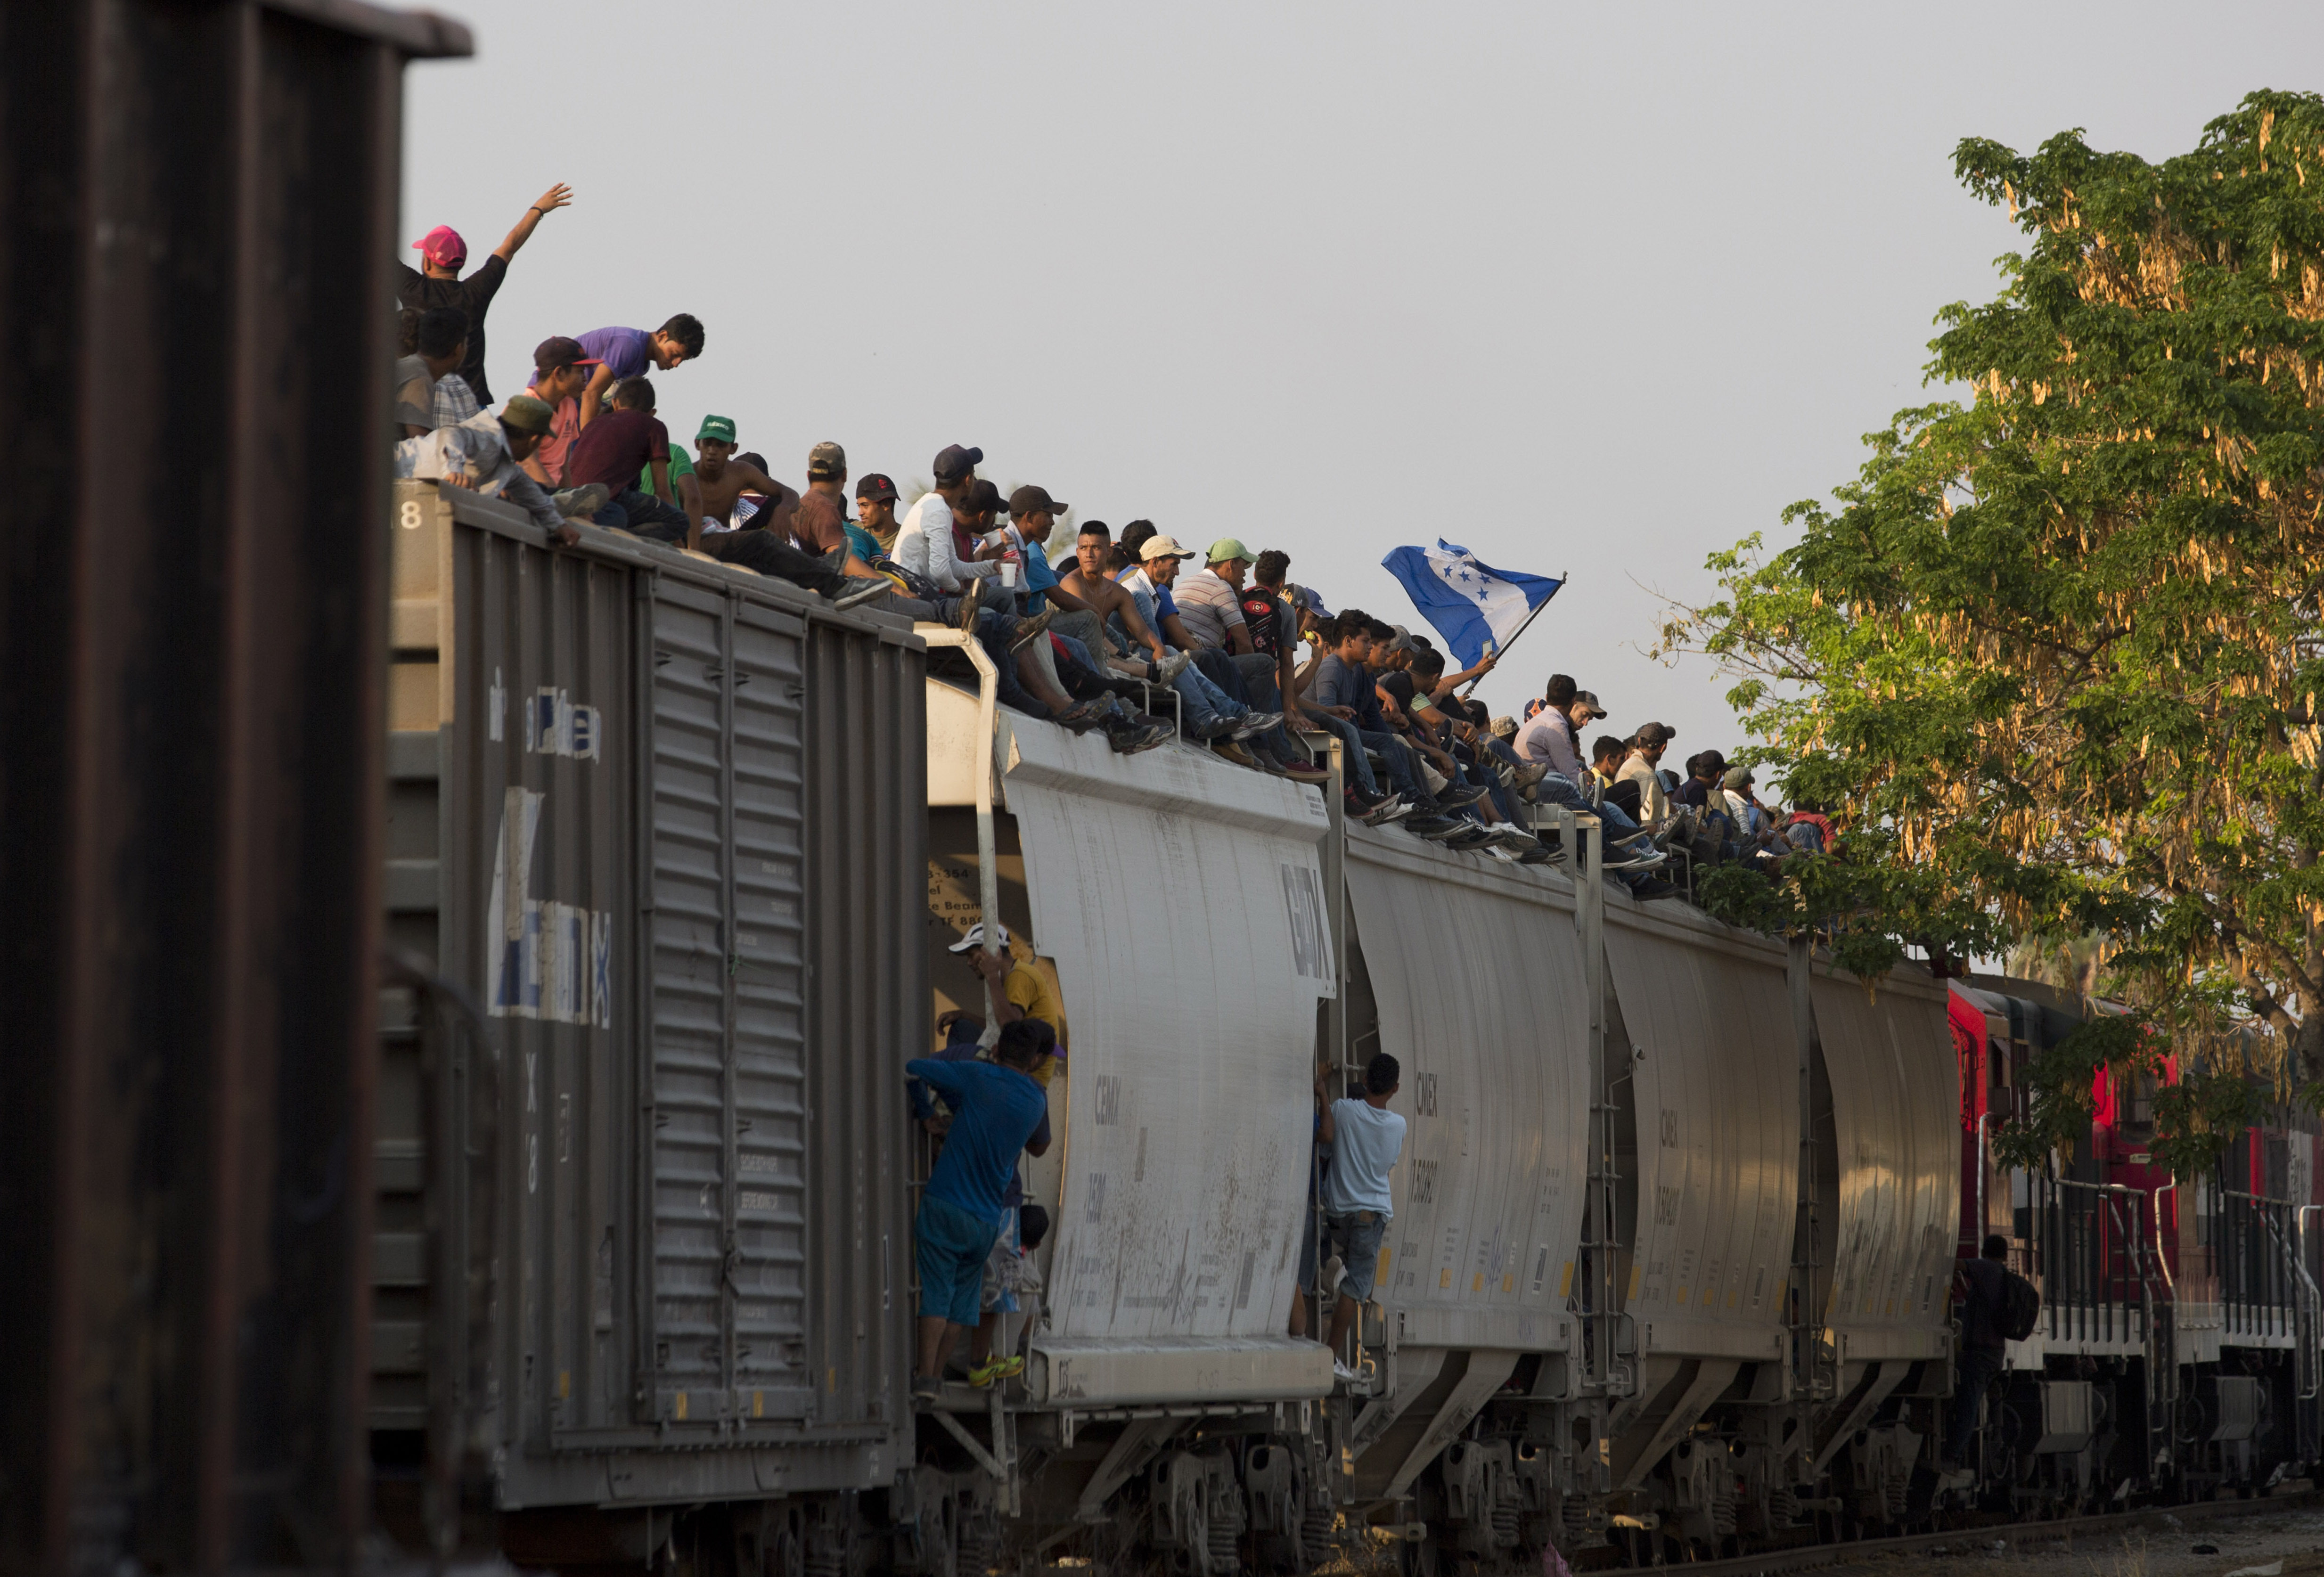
[[2253, 1541]]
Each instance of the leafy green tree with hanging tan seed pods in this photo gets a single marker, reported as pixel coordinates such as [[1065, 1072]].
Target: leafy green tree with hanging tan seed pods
[[2056, 654]]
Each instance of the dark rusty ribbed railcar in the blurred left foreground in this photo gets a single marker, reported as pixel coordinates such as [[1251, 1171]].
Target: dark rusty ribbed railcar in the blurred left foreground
[[199, 208]]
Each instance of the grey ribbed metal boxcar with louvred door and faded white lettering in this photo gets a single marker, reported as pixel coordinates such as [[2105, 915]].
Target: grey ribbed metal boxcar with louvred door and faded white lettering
[[664, 788]]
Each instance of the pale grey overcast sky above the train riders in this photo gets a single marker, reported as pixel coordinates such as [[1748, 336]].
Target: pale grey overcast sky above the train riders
[[1581, 289]]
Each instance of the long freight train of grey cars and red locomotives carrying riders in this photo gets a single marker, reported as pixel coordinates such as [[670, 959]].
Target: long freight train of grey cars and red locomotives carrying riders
[[675, 863]]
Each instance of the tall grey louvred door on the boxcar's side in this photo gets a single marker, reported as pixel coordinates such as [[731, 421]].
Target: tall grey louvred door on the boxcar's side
[[729, 1011]]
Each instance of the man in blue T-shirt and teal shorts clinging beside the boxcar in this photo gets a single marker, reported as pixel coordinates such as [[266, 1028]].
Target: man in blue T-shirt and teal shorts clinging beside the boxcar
[[998, 1111]]
